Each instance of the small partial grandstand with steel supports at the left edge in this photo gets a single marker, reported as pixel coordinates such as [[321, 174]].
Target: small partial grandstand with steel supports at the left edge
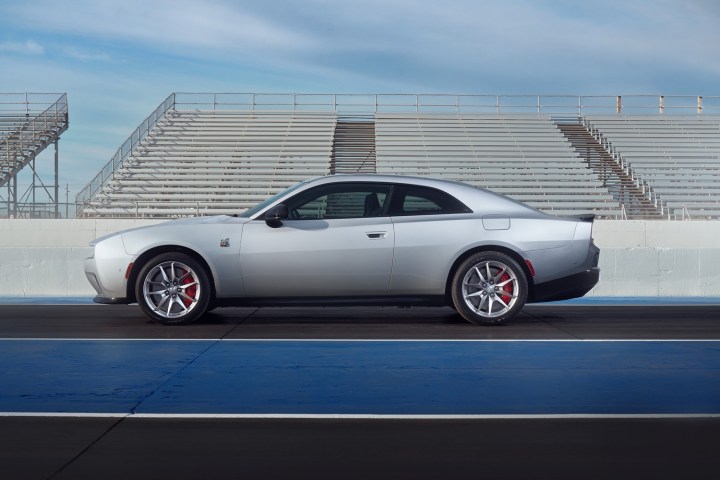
[[29, 123]]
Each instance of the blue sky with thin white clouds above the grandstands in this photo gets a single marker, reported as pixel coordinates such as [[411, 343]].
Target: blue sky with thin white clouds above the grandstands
[[118, 60]]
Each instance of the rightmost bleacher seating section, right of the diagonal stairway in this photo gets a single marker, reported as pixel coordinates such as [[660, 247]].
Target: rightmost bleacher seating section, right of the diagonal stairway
[[678, 157]]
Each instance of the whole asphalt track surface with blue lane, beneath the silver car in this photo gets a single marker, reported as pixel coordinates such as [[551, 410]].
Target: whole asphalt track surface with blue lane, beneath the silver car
[[280, 393]]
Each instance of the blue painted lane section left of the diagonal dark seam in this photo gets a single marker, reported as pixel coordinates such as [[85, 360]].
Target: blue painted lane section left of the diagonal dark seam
[[88, 376]]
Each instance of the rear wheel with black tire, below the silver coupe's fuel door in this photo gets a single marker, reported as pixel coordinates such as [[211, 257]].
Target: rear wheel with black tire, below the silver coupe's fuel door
[[489, 288]]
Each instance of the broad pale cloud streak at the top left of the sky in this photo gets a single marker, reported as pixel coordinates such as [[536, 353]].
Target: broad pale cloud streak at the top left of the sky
[[175, 25]]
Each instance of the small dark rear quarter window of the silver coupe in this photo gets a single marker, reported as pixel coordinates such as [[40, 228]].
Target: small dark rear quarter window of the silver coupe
[[412, 200]]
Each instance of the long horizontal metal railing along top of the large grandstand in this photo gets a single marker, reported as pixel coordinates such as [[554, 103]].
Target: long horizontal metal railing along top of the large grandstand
[[556, 105]]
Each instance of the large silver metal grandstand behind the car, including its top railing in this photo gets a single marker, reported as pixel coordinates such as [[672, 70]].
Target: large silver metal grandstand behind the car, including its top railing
[[203, 154]]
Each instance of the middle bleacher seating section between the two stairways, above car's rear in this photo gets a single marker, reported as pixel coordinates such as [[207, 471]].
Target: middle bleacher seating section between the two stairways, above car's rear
[[522, 156]]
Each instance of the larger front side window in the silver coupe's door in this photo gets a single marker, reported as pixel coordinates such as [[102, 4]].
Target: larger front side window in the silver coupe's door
[[344, 200]]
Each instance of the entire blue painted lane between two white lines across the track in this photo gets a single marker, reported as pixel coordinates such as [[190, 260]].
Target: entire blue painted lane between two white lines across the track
[[340, 377]]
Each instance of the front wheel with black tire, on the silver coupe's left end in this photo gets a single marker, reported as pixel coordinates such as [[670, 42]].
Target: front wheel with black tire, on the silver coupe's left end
[[173, 289]]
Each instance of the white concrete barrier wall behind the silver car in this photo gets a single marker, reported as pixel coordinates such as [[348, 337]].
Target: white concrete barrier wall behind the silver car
[[638, 258]]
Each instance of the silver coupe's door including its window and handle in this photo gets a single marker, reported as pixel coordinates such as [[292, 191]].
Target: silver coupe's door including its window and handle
[[337, 242]]
